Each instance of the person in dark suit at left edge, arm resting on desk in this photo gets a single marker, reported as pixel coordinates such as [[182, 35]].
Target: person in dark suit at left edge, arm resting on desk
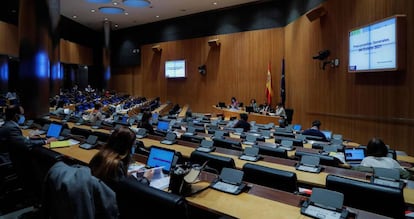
[[11, 134]]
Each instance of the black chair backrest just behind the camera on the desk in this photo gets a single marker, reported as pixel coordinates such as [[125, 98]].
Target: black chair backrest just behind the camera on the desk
[[215, 162]]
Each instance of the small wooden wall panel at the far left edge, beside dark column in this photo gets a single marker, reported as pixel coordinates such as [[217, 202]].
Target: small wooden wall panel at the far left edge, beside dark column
[[9, 40]]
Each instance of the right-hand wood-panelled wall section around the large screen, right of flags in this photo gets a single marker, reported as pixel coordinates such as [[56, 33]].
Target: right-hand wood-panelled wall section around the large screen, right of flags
[[359, 106]]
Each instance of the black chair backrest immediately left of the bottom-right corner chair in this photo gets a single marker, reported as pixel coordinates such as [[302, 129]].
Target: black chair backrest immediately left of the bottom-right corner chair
[[266, 176]]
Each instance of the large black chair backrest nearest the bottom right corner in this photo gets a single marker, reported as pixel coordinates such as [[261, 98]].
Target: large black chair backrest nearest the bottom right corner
[[379, 199]]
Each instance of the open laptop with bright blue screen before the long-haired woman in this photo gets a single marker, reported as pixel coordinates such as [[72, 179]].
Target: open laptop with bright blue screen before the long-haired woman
[[160, 157]]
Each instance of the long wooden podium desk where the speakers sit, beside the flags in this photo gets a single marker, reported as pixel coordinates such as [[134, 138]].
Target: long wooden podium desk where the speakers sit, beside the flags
[[259, 118]]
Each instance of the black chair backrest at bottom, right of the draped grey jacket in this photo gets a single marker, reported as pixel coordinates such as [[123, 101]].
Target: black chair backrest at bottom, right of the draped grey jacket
[[135, 199]]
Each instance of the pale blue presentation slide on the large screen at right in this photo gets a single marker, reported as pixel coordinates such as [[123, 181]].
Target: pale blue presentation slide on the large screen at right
[[373, 47]]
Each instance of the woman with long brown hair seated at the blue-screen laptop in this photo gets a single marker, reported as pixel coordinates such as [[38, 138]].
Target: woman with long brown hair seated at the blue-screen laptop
[[111, 163]]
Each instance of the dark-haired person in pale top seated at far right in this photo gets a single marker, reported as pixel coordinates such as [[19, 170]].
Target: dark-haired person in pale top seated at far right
[[377, 153]]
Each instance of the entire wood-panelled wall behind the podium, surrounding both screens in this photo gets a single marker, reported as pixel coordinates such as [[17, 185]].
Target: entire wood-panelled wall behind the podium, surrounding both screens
[[359, 106]]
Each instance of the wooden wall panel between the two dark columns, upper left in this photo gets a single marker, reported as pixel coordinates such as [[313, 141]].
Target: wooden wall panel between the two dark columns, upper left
[[73, 53]]
